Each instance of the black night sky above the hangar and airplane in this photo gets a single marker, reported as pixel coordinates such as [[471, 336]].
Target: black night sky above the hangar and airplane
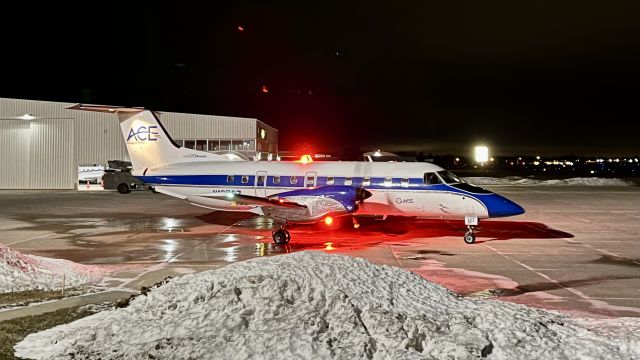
[[521, 77]]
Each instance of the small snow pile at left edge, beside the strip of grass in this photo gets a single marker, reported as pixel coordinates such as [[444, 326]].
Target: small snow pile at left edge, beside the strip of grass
[[20, 272]]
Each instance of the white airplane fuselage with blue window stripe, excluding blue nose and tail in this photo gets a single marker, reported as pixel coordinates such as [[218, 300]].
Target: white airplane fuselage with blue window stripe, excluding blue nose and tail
[[396, 188]]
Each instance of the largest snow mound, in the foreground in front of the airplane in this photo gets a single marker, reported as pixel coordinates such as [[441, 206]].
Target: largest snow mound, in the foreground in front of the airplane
[[313, 305]]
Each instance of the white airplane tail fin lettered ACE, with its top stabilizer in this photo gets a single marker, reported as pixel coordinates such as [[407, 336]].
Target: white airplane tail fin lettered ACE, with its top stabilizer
[[148, 143]]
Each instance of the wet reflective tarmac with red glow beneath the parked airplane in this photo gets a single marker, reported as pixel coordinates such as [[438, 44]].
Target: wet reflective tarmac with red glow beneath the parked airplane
[[576, 249]]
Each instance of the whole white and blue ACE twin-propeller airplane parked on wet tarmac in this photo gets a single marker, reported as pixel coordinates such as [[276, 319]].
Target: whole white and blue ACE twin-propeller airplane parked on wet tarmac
[[299, 191]]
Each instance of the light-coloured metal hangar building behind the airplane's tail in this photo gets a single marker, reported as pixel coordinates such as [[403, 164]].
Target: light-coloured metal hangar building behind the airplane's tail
[[42, 144]]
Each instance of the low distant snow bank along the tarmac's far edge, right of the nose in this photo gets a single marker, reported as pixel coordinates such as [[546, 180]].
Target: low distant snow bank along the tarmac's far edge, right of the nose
[[517, 180]]
